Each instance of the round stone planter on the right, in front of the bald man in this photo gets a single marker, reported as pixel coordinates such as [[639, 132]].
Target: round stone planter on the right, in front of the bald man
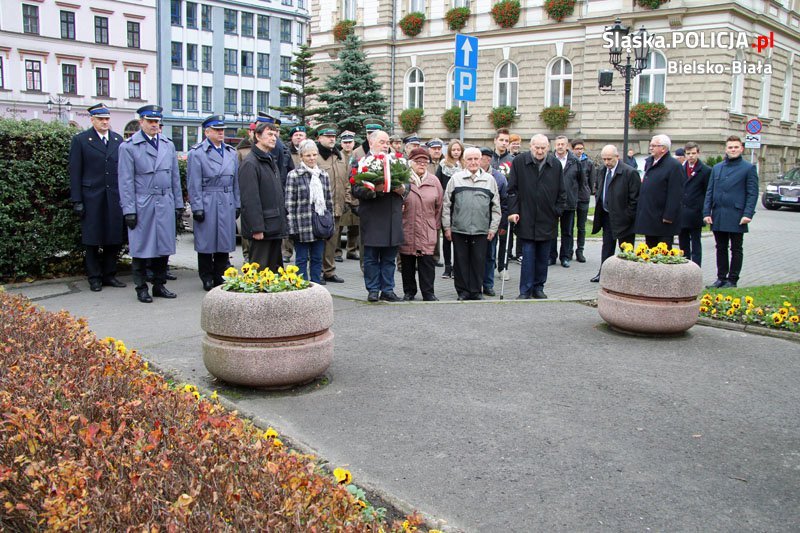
[[648, 298]]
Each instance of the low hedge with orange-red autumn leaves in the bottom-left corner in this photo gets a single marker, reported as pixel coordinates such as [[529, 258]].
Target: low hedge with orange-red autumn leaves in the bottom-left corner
[[92, 439]]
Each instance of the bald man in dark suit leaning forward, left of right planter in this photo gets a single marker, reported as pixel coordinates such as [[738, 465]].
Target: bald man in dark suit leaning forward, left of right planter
[[617, 196]]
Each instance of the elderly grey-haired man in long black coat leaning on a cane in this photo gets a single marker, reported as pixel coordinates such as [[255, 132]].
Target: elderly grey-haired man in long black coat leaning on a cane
[[536, 198]]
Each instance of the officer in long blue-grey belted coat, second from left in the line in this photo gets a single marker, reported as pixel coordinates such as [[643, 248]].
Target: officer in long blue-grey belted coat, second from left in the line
[[151, 200]]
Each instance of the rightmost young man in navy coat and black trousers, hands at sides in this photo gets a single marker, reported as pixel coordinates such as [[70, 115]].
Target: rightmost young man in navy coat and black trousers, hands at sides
[[729, 207]]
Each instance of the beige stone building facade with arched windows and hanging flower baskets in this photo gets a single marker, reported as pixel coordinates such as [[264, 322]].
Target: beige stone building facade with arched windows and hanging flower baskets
[[540, 62]]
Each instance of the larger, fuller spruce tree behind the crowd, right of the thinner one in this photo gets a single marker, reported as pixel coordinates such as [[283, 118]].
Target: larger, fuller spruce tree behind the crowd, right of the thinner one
[[352, 94]]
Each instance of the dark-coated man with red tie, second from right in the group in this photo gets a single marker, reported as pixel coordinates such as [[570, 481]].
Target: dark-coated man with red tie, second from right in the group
[[695, 183]]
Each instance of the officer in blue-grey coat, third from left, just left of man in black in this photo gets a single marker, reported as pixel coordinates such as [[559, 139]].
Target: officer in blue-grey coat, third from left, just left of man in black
[[212, 177]]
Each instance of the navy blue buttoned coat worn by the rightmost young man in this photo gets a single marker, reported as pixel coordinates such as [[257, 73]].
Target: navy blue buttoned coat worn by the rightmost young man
[[732, 194]]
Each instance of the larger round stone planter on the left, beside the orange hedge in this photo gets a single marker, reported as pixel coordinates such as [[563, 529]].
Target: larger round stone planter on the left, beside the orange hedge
[[267, 340]]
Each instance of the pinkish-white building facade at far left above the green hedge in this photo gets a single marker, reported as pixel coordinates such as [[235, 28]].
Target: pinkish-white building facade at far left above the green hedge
[[75, 54]]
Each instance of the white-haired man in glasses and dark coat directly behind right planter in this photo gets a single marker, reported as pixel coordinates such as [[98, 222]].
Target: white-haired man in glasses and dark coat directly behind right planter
[[659, 203]]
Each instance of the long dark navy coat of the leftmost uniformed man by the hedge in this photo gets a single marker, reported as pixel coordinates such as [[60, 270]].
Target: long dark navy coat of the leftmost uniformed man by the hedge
[[93, 181]]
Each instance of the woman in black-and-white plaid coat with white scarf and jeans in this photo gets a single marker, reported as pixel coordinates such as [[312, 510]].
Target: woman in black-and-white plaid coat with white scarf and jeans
[[308, 188]]
